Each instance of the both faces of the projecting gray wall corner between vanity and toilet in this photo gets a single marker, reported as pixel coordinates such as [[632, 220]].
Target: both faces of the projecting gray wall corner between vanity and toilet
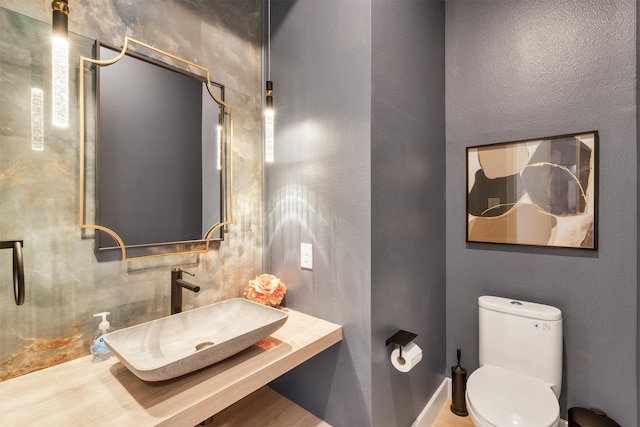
[[359, 170]]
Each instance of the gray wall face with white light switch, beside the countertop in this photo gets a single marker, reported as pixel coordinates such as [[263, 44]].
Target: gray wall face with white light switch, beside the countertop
[[319, 191]]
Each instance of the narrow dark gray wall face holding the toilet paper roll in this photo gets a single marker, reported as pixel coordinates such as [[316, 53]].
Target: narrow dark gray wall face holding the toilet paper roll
[[408, 202]]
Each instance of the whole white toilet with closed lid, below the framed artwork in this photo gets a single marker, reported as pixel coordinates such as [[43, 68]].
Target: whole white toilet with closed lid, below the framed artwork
[[520, 375]]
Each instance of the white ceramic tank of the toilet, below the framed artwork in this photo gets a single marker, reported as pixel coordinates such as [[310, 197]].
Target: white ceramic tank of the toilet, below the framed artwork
[[522, 336]]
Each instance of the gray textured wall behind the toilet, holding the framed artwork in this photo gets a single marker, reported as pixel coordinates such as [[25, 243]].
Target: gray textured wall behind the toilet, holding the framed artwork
[[526, 69]]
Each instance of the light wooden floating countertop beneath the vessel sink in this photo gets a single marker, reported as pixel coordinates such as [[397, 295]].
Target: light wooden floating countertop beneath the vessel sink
[[81, 392]]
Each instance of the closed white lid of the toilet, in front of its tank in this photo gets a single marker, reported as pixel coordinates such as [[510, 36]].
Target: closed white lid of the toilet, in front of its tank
[[507, 398]]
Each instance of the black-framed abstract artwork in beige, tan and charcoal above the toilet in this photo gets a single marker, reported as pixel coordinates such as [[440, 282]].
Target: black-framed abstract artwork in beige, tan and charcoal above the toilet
[[538, 192]]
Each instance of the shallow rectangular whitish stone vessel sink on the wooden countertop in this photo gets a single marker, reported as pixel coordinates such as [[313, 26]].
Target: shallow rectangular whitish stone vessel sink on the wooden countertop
[[185, 342]]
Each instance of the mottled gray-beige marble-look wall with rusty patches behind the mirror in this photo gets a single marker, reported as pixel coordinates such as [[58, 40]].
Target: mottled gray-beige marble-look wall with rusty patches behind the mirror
[[39, 189]]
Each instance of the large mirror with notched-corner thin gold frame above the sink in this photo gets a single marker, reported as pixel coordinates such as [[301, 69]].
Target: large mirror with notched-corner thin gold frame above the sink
[[163, 180]]
